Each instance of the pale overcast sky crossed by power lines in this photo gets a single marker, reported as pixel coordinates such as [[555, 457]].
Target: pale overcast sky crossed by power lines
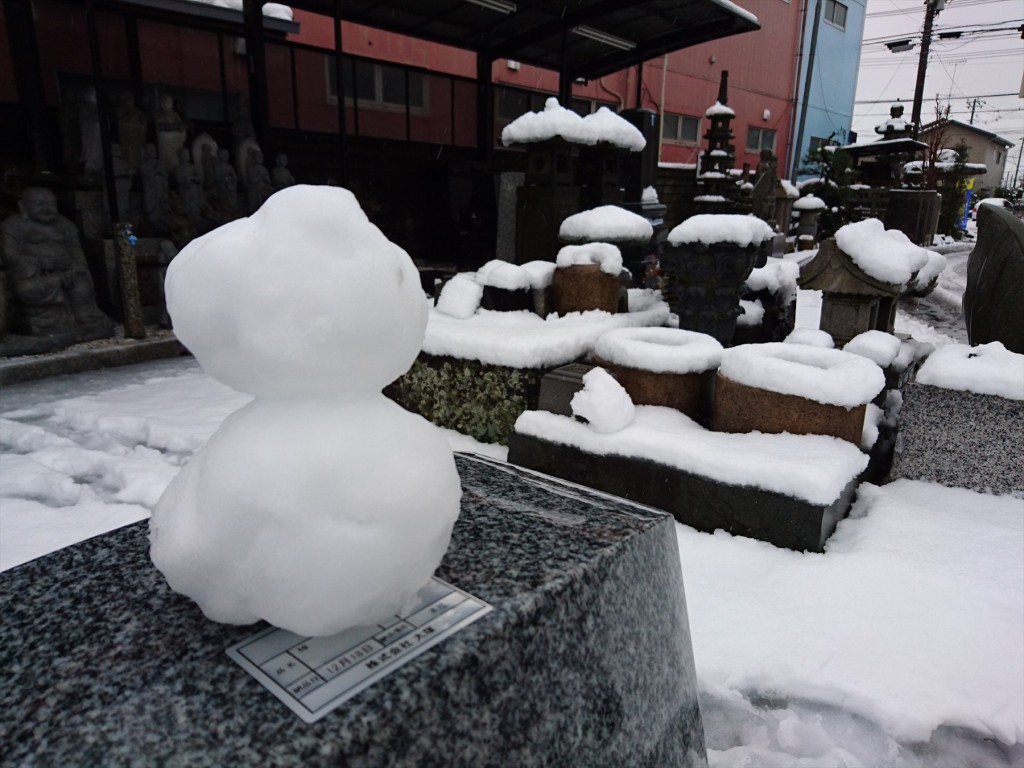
[[982, 65]]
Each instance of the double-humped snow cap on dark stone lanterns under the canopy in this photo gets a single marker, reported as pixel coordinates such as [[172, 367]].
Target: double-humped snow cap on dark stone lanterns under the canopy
[[556, 121]]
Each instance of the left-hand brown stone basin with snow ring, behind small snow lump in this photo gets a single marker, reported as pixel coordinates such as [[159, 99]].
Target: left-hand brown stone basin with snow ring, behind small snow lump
[[663, 367]]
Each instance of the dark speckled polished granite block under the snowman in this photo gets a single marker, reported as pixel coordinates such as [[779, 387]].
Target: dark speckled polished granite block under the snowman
[[586, 660]]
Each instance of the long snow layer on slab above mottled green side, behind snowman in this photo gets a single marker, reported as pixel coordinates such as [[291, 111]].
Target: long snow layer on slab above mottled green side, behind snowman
[[527, 340]]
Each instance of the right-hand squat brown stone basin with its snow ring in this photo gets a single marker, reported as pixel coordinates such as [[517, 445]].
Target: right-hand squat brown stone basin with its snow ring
[[795, 389]]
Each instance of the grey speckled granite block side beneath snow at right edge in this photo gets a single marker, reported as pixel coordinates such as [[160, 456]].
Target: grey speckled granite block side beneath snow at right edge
[[961, 440]]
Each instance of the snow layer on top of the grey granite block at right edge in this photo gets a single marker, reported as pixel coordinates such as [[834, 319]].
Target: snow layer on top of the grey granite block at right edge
[[989, 369]]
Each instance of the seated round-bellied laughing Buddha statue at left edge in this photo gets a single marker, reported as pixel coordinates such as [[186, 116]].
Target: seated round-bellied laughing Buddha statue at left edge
[[50, 279]]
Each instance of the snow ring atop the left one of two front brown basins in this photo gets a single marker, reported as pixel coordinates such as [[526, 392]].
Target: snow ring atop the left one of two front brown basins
[[669, 351]]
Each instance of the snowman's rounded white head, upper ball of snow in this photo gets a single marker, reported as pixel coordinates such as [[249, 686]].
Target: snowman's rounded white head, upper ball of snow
[[305, 298]]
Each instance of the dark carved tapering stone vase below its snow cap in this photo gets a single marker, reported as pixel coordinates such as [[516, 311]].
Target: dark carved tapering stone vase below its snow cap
[[706, 284]]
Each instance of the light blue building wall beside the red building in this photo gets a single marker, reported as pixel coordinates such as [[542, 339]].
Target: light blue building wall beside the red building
[[834, 84]]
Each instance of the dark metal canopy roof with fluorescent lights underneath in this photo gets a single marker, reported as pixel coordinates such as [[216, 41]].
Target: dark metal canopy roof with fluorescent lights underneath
[[587, 38]]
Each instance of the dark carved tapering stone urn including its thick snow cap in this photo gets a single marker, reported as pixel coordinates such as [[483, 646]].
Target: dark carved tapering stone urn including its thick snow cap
[[706, 263]]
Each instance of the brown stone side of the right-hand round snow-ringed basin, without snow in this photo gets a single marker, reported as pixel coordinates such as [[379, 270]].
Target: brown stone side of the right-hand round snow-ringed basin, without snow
[[739, 408]]
